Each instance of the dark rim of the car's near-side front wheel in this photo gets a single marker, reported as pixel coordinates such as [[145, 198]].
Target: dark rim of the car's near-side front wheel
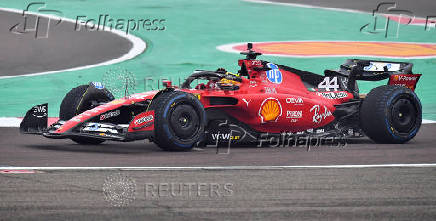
[[184, 122]]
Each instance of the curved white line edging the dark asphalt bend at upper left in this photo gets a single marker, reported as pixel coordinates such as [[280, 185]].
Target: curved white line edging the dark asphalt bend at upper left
[[138, 46]]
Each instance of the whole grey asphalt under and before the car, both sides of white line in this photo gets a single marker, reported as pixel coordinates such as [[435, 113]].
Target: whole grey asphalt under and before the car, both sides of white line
[[382, 193]]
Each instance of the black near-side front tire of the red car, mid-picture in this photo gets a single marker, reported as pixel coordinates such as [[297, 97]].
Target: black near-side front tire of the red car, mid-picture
[[179, 122]]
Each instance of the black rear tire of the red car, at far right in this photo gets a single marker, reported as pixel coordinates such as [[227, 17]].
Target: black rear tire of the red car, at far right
[[391, 114]]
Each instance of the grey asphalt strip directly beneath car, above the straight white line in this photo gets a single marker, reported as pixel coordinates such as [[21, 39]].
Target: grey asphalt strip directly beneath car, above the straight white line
[[36, 151]]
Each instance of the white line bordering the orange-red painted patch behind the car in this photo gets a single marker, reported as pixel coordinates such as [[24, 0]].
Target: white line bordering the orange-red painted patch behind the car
[[229, 48]]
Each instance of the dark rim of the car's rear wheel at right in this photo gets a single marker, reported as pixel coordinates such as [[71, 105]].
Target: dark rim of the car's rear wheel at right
[[403, 115]]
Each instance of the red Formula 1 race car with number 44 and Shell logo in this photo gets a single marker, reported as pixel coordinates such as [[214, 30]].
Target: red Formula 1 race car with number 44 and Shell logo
[[262, 98]]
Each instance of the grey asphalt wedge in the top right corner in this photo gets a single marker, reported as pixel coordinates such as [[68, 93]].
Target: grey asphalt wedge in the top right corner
[[419, 8]]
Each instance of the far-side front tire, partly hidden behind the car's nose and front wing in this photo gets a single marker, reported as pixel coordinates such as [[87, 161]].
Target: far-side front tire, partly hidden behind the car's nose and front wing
[[74, 104]]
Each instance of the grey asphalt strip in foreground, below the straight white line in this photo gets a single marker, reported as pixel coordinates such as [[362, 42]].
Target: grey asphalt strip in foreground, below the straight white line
[[299, 194]]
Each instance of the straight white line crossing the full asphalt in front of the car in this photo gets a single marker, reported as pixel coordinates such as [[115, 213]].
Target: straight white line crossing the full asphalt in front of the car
[[225, 167]]
